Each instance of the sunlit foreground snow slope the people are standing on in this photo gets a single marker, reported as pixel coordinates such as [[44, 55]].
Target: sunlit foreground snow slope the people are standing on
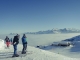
[[36, 54]]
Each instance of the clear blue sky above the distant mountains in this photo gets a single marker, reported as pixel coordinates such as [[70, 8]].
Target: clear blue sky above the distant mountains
[[35, 15]]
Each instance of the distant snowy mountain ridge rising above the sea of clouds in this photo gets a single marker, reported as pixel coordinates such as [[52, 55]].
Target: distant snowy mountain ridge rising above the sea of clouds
[[56, 30]]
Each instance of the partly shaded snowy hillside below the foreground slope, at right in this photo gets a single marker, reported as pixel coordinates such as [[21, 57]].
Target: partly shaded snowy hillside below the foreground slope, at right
[[70, 51]]
